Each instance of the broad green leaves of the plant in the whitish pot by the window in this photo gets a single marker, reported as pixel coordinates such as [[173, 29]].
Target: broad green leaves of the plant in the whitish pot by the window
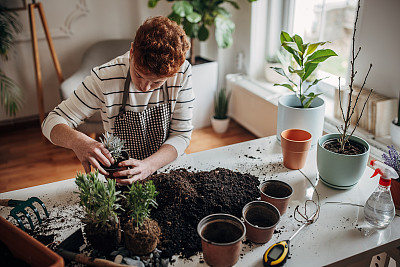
[[307, 57]]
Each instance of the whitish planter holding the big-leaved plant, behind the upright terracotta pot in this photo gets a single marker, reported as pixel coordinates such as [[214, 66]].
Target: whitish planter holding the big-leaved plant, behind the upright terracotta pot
[[308, 119]]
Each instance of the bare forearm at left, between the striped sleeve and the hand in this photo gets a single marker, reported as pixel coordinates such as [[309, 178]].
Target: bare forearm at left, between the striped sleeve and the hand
[[65, 136]]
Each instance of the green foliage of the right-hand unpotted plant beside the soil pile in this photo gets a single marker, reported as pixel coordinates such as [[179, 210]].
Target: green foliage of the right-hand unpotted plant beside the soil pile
[[140, 201]]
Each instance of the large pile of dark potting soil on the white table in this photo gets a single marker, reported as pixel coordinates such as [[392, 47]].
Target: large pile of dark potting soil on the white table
[[186, 197]]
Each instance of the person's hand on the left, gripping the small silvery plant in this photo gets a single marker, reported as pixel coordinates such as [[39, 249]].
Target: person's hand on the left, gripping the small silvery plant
[[90, 152]]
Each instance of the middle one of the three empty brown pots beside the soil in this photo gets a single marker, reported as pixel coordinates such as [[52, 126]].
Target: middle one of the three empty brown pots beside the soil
[[260, 219]]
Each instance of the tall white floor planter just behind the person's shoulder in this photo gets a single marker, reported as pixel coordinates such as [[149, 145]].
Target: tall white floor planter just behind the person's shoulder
[[204, 82]]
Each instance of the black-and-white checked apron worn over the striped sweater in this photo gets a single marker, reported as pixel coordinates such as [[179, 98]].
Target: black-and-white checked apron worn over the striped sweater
[[143, 132]]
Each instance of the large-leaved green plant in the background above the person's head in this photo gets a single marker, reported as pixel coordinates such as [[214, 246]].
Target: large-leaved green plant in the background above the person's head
[[196, 16]]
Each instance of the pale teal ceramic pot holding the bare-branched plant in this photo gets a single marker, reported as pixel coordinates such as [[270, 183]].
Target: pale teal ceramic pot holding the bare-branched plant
[[337, 170]]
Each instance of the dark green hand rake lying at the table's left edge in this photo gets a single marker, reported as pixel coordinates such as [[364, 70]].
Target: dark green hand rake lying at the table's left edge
[[19, 207]]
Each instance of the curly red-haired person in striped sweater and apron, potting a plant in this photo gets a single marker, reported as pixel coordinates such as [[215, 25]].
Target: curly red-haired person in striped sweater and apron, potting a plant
[[145, 97]]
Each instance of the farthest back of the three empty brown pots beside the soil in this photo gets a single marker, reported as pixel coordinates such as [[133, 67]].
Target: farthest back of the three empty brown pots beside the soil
[[277, 193]]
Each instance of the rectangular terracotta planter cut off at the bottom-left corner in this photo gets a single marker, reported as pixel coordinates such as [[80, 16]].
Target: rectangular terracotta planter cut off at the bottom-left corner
[[26, 248]]
